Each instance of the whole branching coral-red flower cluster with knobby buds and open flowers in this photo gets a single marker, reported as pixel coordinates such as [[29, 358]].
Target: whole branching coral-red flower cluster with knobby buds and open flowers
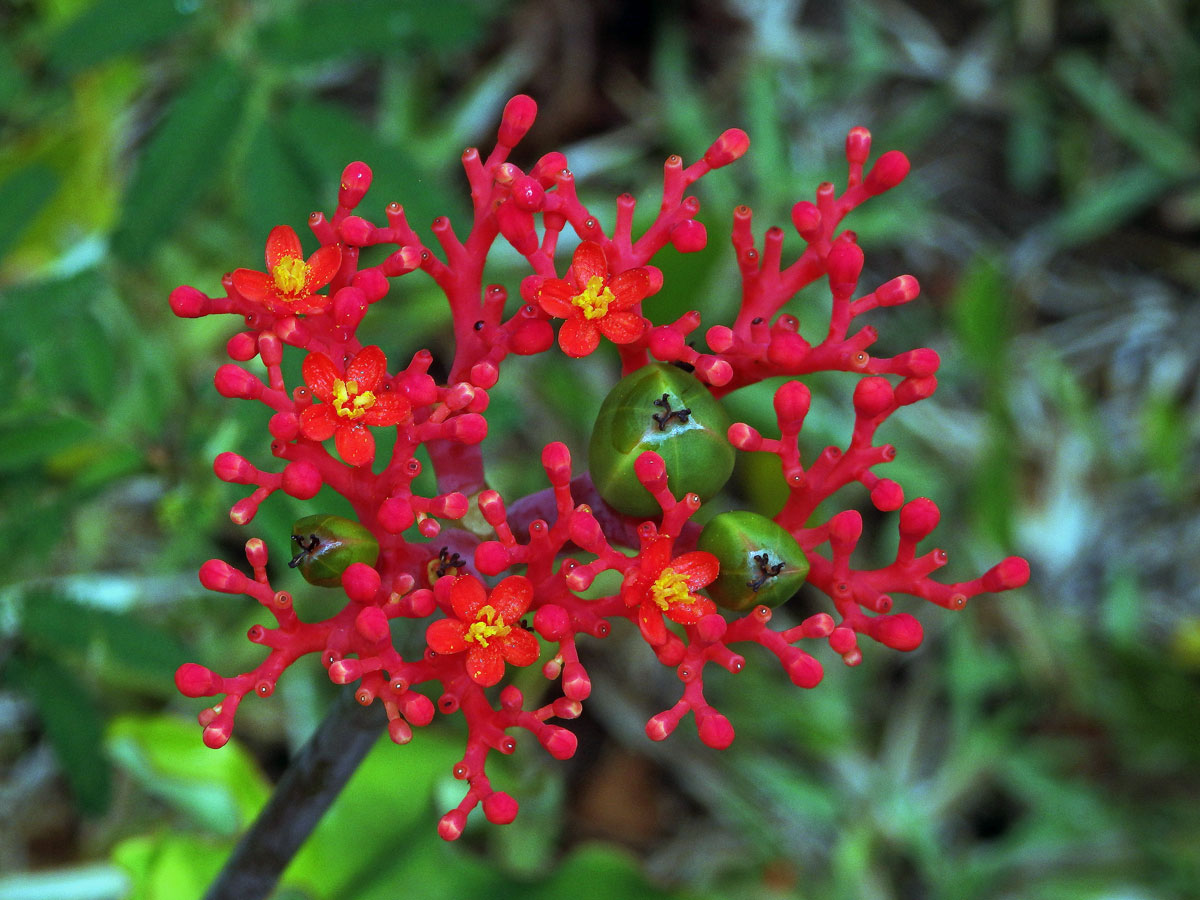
[[442, 587]]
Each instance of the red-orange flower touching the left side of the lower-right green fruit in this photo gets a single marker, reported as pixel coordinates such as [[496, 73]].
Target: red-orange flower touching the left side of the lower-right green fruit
[[664, 586]]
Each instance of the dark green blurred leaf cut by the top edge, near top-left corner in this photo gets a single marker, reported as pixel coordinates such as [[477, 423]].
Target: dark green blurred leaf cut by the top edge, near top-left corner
[[110, 28]]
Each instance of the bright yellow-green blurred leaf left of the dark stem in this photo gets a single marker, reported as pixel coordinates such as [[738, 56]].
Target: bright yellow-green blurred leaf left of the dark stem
[[221, 790]]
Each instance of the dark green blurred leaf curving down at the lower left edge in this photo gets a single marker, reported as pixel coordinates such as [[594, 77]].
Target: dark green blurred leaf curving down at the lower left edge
[[74, 724]]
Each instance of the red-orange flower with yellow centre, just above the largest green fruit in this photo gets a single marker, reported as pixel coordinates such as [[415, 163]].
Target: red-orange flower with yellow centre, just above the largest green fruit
[[599, 305]]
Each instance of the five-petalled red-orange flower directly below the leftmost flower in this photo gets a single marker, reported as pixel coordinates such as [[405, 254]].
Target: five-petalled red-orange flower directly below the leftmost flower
[[347, 406]]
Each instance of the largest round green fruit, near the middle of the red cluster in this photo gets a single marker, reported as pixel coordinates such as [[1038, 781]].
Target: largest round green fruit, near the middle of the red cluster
[[665, 410]]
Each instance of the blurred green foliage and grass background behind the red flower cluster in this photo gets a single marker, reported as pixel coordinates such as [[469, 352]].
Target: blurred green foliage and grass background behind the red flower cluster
[[1041, 746]]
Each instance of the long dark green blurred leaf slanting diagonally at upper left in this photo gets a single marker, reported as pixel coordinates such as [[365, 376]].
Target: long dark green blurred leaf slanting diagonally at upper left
[[182, 160]]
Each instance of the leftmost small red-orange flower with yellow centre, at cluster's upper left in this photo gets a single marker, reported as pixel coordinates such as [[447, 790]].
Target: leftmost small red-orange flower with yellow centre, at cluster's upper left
[[290, 284]]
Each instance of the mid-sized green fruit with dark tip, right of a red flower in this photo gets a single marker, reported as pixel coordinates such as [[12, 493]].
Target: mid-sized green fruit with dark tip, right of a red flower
[[761, 563]]
